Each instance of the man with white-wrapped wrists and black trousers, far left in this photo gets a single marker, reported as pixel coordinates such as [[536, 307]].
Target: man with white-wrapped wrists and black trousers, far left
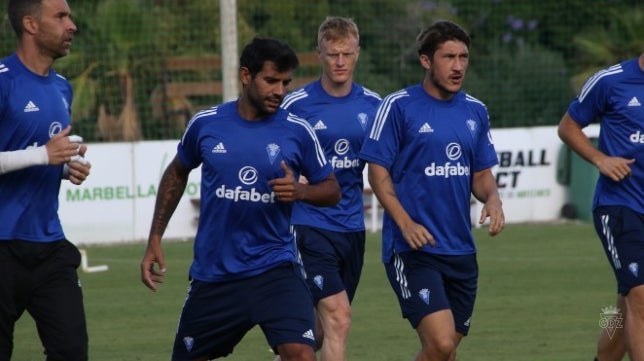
[[37, 263]]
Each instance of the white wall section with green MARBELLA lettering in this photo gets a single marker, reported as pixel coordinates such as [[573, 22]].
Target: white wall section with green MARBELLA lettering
[[116, 202]]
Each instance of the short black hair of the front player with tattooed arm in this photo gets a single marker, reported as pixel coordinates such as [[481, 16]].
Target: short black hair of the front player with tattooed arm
[[261, 50]]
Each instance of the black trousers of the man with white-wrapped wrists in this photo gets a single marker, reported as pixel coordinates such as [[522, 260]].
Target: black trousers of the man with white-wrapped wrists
[[41, 278]]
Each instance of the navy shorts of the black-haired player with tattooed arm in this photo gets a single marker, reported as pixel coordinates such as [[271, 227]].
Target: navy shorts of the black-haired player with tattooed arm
[[217, 315]]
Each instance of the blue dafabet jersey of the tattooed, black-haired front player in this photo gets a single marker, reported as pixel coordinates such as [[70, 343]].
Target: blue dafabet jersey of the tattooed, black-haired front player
[[243, 230]]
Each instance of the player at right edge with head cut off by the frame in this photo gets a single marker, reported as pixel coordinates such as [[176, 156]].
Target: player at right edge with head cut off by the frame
[[614, 96]]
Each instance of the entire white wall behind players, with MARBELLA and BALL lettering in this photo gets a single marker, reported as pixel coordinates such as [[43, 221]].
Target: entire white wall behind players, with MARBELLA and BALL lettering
[[116, 202]]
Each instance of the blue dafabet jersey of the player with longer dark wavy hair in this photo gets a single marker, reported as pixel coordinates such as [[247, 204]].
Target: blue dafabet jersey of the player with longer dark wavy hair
[[431, 149]]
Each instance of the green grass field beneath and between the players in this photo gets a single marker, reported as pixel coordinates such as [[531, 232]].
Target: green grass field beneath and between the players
[[541, 290]]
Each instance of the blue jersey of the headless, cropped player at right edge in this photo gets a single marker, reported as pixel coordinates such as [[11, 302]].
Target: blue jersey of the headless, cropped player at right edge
[[615, 96]]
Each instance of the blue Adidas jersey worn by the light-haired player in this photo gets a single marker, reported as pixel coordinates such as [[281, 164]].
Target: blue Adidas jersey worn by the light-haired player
[[341, 124]]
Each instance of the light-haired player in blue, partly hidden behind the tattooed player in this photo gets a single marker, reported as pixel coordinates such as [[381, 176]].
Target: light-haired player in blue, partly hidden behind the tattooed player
[[331, 240]]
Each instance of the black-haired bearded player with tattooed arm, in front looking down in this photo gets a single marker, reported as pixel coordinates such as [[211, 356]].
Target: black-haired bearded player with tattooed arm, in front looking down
[[245, 270]]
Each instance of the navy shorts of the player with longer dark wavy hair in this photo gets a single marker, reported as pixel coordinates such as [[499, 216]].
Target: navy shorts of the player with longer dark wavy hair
[[425, 283]]
